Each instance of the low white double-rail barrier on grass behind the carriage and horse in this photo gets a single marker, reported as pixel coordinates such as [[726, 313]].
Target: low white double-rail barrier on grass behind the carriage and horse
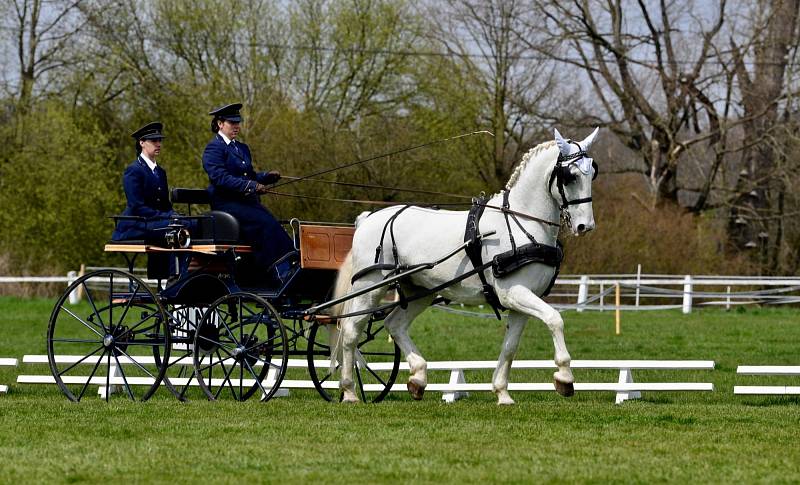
[[625, 388]]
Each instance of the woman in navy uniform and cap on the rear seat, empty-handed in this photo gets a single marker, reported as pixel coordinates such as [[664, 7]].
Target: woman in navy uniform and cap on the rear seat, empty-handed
[[145, 184]]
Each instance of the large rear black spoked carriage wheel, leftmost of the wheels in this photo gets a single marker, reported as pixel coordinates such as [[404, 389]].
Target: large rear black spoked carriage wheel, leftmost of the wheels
[[108, 339]]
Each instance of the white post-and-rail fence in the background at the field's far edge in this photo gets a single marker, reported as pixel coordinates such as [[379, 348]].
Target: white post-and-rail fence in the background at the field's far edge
[[599, 292]]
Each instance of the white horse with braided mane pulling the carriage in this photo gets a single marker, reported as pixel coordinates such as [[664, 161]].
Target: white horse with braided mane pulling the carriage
[[553, 177]]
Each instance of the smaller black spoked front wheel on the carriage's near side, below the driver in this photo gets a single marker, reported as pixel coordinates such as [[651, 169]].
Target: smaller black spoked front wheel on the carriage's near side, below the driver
[[239, 343]]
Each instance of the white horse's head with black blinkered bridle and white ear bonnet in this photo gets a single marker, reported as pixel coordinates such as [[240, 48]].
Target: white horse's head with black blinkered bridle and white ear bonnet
[[570, 183]]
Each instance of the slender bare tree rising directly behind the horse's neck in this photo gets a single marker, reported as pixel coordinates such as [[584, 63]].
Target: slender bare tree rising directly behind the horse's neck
[[490, 39]]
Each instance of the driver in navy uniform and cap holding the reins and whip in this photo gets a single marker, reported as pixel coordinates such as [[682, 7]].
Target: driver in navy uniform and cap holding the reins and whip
[[235, 187]]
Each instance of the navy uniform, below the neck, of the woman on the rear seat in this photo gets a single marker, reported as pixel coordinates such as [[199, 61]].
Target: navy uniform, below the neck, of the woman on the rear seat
[[148, 196]]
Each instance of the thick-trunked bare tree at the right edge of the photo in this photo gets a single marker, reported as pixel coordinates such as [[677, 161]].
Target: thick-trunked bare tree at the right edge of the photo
[[761, 61]]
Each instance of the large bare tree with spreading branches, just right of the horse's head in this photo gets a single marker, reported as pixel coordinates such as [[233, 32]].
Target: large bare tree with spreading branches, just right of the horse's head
[[654, 71]]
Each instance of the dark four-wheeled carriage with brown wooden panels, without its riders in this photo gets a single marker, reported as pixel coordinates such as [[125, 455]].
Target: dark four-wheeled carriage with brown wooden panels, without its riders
[[207, 328]]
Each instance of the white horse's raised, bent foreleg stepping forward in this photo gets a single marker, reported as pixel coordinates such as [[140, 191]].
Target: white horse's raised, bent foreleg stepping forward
[[523, 300]]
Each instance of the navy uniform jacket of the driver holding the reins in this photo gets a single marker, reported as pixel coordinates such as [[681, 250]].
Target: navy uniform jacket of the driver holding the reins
[[230, 171]]
